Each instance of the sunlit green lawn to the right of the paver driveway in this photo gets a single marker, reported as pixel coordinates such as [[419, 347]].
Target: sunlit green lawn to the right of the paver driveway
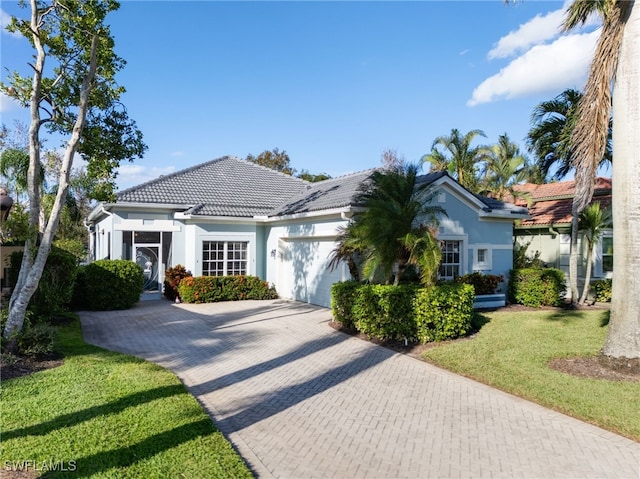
[[512, 350]]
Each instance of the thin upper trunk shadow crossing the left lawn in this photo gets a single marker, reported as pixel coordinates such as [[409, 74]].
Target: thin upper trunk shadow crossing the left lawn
[[114, 407]]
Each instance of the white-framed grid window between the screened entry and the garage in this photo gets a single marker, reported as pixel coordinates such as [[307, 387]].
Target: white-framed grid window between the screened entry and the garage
[[224, 258]]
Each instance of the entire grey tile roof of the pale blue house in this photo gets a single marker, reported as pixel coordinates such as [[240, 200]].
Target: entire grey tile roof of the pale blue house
[[229, 186]]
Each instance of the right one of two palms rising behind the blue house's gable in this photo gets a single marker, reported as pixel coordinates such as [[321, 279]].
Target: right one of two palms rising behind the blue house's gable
[[505, 168]]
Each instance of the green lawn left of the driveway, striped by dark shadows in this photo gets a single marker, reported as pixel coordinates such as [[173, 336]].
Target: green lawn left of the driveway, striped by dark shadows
[[105, 414]]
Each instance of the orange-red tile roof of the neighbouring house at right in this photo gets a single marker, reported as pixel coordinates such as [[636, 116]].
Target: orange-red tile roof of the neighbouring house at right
[[550, 204]]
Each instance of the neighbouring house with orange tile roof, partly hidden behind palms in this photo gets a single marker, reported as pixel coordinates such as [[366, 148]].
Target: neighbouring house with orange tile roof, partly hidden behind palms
[[548, 231]]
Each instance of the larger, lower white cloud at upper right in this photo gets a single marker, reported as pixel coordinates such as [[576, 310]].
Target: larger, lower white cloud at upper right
[[544, 68]]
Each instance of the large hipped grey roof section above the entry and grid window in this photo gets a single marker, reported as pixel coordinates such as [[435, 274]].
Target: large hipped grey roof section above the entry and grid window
[[227, 186]]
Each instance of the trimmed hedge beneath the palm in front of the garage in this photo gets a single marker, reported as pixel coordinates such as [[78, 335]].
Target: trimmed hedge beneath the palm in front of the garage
[[404, 312]]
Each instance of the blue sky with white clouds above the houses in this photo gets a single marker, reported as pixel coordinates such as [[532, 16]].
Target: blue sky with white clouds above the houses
[[332, 83]]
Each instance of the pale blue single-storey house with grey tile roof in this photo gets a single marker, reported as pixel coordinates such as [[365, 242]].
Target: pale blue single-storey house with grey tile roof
[[229, 216]]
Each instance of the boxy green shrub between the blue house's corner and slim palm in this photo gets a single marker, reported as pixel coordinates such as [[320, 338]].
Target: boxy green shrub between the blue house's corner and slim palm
[[537, 287]]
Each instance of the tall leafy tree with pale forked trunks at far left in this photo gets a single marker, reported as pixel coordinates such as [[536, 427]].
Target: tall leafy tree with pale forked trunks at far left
[[75, 96]]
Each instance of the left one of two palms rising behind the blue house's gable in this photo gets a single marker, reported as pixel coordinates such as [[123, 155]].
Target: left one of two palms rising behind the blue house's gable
[[454, 154]]
